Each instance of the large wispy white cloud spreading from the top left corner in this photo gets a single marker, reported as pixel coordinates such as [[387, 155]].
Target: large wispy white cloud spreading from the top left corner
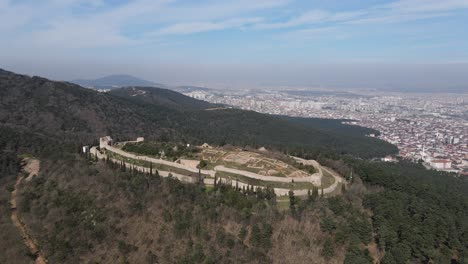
[[52, 23]]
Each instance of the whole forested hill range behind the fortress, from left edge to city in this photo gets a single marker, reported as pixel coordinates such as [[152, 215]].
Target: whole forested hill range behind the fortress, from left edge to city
[[68, 111]]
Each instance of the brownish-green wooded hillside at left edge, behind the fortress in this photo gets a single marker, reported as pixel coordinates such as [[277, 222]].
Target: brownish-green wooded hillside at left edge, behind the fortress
[[63, 109]]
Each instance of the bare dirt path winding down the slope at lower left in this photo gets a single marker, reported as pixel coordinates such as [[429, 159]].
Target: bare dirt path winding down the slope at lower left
[[32, 167]]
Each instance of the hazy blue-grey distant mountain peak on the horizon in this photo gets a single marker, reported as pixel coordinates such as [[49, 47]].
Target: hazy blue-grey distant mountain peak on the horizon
[[115, 81]]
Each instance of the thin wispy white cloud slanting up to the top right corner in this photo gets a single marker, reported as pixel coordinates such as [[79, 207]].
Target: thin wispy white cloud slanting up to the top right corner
[[317, 25]]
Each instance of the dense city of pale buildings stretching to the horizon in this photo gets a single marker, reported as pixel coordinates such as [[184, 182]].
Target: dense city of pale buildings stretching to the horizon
[[432, 128]]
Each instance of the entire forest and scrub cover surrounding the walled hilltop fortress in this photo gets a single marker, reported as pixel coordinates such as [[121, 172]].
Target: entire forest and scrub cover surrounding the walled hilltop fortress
[[87, 211]]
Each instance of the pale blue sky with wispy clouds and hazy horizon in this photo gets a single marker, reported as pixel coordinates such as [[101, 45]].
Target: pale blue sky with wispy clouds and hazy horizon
[[420, 44]]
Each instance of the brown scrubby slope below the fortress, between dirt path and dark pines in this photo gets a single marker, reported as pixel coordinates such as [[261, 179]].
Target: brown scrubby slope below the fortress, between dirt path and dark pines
[[122, 217]]
